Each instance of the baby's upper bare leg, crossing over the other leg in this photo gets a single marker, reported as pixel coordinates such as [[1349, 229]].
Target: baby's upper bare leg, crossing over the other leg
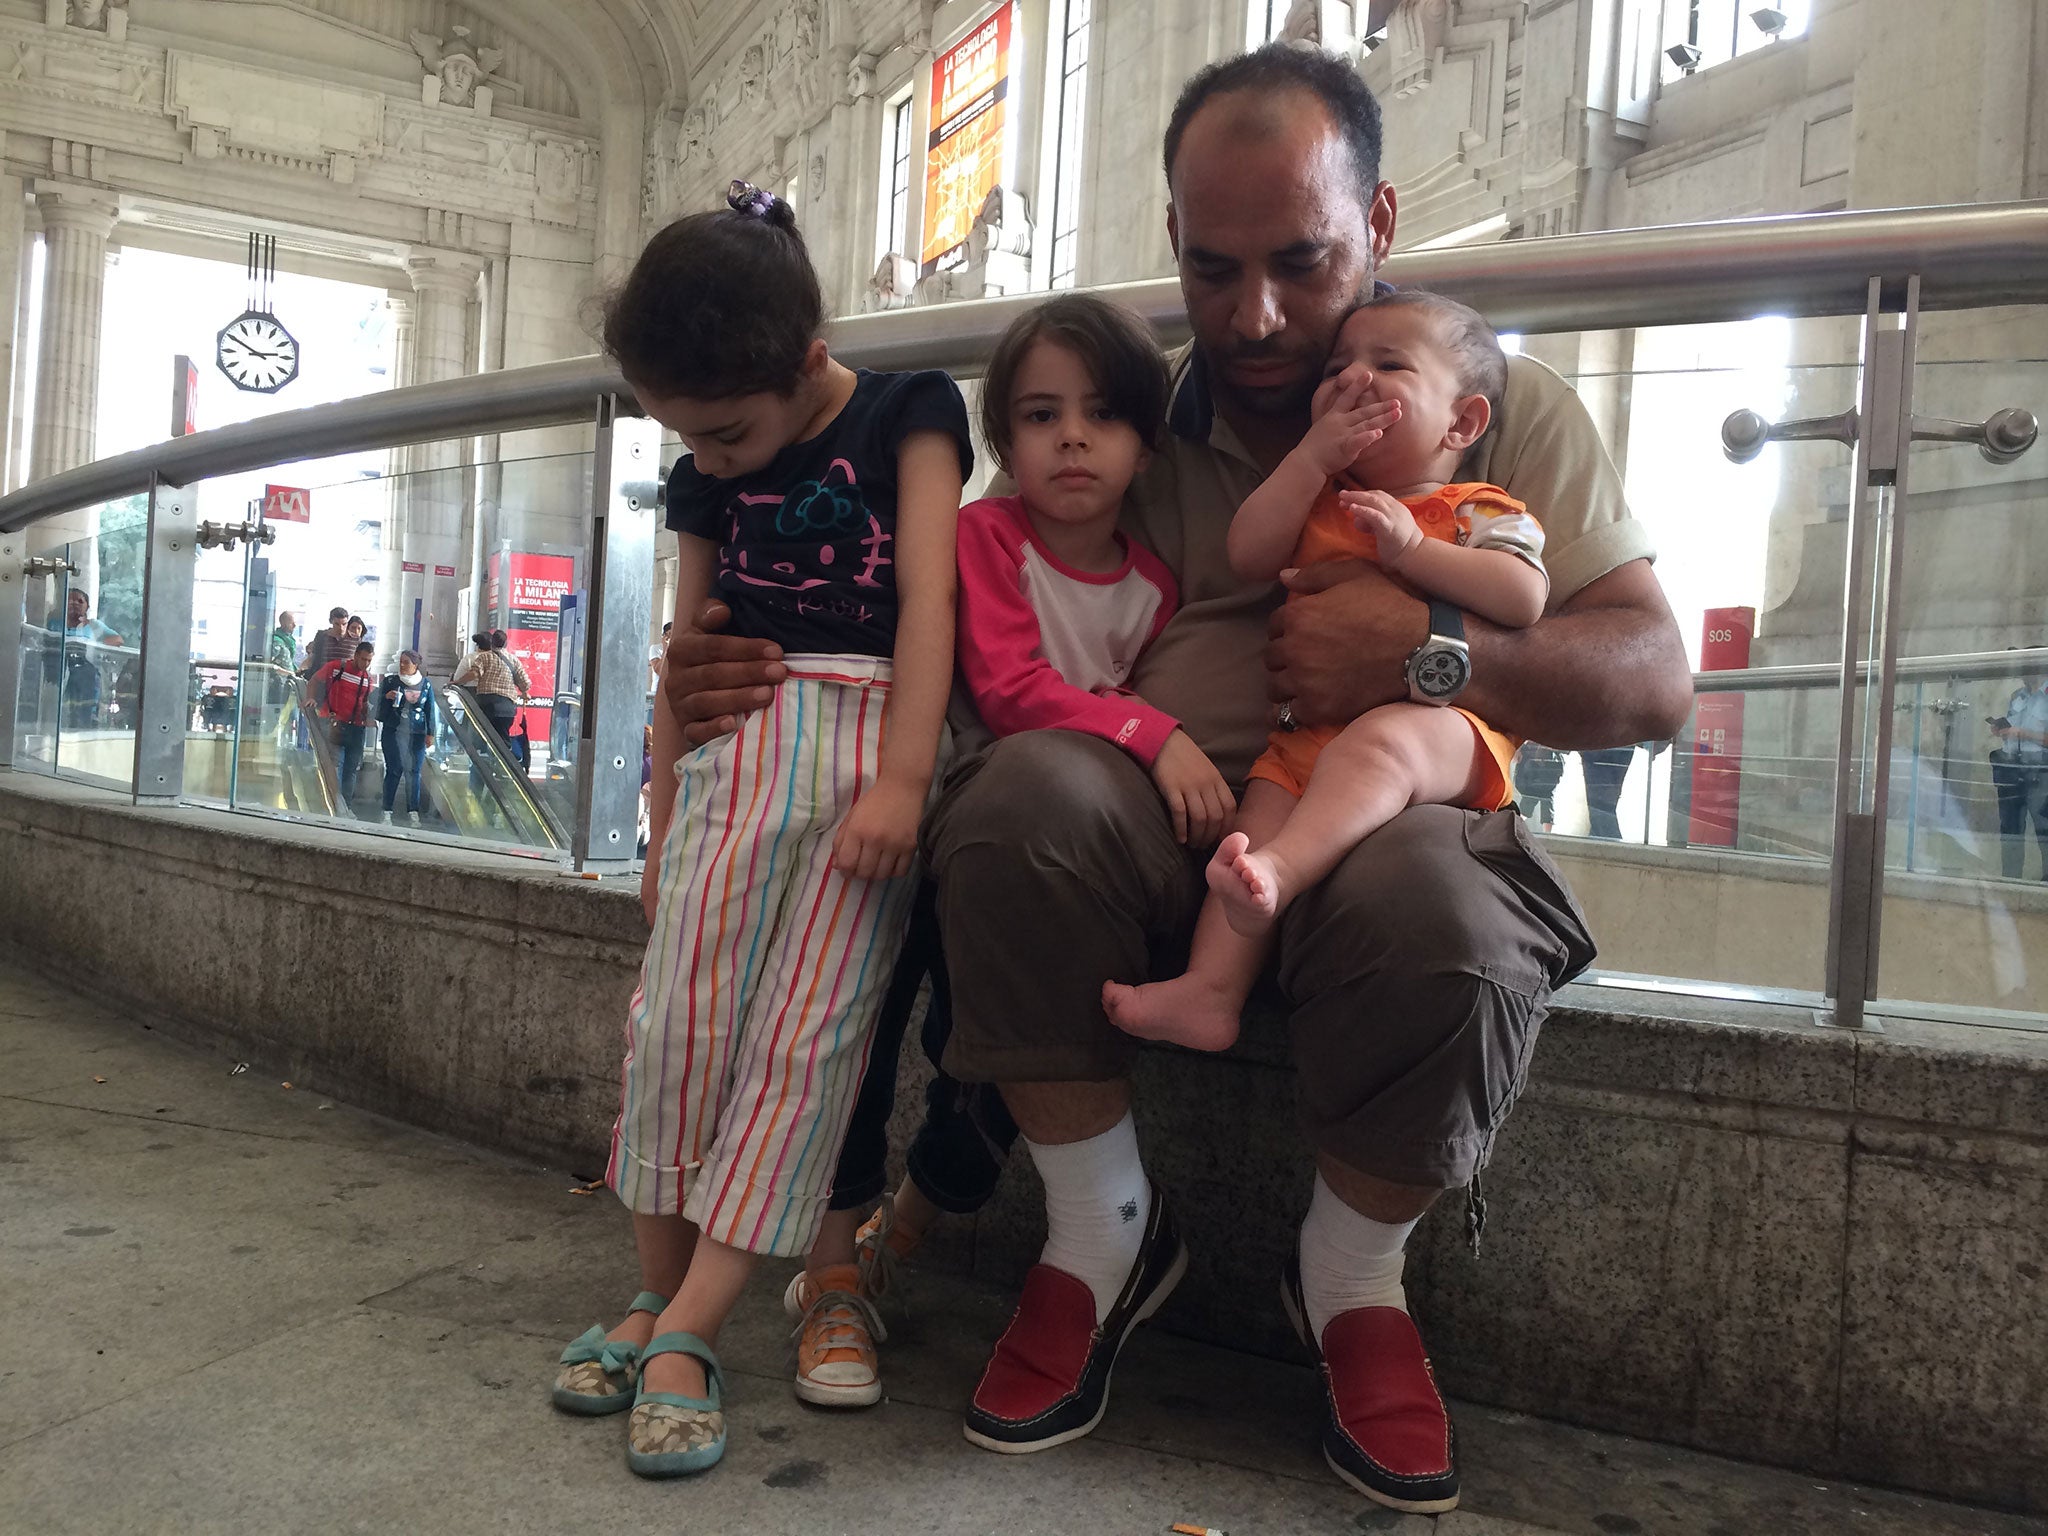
[[1383, 763]]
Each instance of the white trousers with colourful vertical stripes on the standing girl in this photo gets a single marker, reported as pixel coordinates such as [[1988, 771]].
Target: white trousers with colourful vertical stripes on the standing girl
[[751, 1027]]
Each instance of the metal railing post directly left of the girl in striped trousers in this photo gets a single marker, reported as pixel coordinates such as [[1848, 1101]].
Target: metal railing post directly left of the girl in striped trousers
[[626, 486]]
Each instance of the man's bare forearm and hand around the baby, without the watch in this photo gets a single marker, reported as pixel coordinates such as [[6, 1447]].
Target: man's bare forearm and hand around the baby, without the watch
[[1607, 669]]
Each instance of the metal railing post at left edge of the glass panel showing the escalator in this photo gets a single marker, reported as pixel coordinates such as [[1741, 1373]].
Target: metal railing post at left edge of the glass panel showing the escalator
[[167, 642]]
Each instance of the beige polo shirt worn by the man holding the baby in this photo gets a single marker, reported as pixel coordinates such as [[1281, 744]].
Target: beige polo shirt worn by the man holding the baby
[[1209, 665]]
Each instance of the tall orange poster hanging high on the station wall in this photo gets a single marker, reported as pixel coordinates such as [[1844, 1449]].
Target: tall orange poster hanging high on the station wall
[[966, 153]]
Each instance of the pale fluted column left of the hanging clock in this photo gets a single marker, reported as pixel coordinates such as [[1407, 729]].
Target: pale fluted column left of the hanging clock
[[77, 224]]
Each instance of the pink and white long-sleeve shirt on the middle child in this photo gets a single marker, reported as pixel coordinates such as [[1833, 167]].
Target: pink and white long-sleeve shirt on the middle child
[[1048, 648]]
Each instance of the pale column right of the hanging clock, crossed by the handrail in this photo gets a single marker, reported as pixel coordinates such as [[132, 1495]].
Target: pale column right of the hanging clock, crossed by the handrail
[[437, 497]]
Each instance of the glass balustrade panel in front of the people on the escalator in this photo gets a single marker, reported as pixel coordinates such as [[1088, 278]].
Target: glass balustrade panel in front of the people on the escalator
[[404, 562]]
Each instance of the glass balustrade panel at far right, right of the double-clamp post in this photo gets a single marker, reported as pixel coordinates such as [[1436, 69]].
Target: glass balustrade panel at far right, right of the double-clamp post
[[1965, 923]]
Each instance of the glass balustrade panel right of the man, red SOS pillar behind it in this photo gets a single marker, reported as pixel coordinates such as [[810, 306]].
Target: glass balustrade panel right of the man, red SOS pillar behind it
[[1707, 859]]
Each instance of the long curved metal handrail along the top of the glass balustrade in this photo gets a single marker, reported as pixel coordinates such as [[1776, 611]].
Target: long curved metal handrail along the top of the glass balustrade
[[1803, 265]]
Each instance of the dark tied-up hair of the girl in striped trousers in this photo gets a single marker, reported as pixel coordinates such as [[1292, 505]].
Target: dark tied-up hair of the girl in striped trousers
[[720, 304]]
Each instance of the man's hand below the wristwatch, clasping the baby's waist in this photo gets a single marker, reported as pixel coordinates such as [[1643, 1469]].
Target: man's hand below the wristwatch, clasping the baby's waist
[[1342, 644]]
